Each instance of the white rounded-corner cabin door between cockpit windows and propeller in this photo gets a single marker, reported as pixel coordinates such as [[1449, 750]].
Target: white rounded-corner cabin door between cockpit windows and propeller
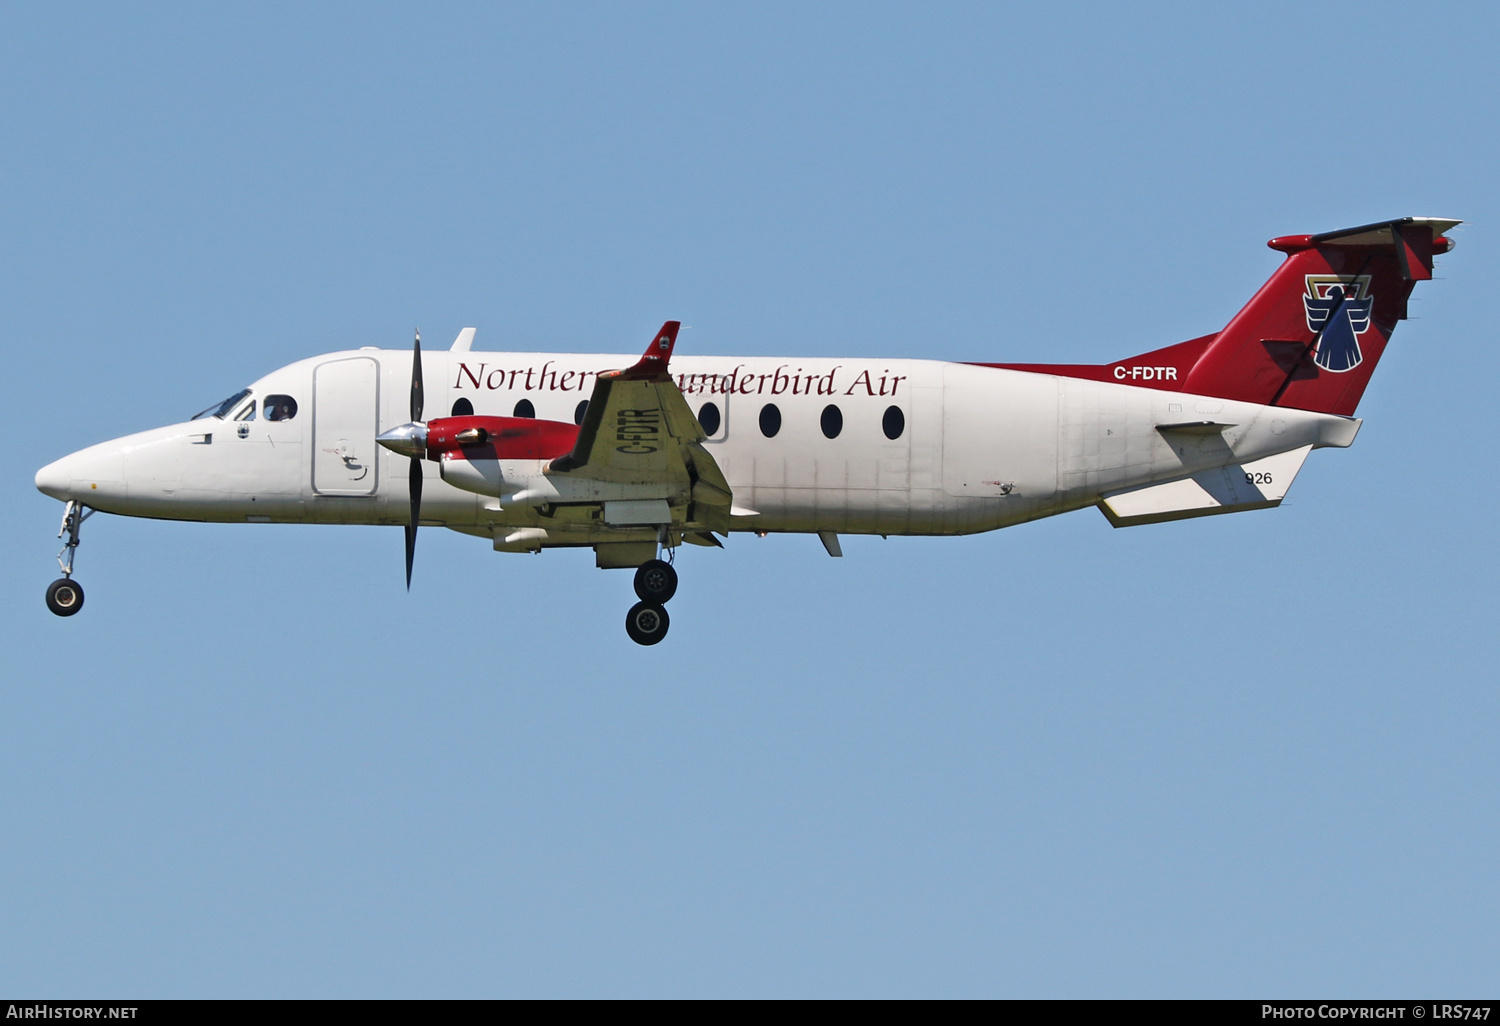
[[344, 427]]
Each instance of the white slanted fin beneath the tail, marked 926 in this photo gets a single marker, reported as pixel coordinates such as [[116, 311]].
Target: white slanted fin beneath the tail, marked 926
[[1259, 485]]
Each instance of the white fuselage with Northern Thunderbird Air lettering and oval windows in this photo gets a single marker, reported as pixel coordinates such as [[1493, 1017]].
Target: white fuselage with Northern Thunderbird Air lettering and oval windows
[[977, 448]]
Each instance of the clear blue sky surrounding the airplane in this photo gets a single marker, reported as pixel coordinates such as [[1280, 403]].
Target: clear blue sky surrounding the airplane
[[1240, 757]]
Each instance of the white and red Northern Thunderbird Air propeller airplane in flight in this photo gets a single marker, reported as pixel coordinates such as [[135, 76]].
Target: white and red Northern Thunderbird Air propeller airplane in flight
[[632, 460]]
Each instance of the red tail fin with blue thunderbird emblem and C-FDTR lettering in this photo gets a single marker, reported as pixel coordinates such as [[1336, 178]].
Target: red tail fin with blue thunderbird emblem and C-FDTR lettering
[[1313, 334]]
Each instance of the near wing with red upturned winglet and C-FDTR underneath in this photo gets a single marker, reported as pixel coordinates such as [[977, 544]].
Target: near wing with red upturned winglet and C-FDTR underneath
[[640, 431]]
